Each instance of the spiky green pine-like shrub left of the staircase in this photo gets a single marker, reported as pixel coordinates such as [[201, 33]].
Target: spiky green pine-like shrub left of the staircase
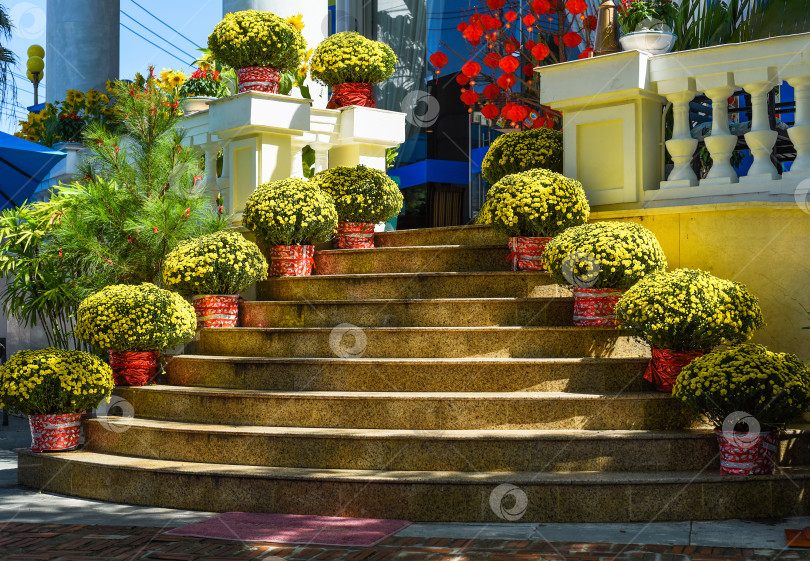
[[140, 196]]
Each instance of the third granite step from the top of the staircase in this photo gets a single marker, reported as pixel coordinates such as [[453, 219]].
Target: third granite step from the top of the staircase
[[494, 284]]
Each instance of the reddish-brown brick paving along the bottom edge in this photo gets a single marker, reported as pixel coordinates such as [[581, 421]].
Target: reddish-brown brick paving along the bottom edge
[[58, 542]]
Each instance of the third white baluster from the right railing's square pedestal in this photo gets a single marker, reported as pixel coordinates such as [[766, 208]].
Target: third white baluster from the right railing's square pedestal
[[760, 138]]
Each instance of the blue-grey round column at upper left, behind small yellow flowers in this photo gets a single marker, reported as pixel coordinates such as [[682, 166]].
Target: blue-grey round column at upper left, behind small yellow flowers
[[81, 45]]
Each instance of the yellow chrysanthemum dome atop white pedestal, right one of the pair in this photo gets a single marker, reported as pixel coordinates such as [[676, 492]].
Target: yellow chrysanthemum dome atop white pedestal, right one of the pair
[[348, 57]]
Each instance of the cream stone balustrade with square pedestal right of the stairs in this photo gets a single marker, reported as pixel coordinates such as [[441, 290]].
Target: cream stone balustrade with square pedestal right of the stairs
[[613, 122]]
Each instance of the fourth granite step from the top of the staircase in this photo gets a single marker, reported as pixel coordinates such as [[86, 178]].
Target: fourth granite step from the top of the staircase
[[450, 312]]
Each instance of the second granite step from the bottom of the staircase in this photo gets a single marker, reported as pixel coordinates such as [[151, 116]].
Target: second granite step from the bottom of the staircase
[[405, 450]]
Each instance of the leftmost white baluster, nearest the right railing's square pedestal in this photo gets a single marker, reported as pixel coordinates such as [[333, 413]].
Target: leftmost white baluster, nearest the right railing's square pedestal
[[681, 146]]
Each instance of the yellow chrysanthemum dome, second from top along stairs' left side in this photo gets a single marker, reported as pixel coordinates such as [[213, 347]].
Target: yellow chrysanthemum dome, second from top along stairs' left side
[[290, 212]]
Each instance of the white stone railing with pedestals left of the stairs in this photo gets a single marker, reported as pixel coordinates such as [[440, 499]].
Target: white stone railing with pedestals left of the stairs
[[262, 137]]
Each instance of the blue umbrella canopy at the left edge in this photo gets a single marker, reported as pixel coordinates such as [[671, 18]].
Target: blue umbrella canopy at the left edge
[[23, 166]]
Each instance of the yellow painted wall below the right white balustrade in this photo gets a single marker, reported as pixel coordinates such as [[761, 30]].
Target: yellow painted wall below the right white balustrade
[[762, 245]]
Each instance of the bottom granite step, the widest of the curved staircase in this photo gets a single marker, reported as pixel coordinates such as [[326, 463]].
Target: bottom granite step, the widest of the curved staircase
[[628, 496]]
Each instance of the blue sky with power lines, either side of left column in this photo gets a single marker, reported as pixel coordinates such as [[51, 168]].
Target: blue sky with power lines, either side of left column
[[194, 20]]
